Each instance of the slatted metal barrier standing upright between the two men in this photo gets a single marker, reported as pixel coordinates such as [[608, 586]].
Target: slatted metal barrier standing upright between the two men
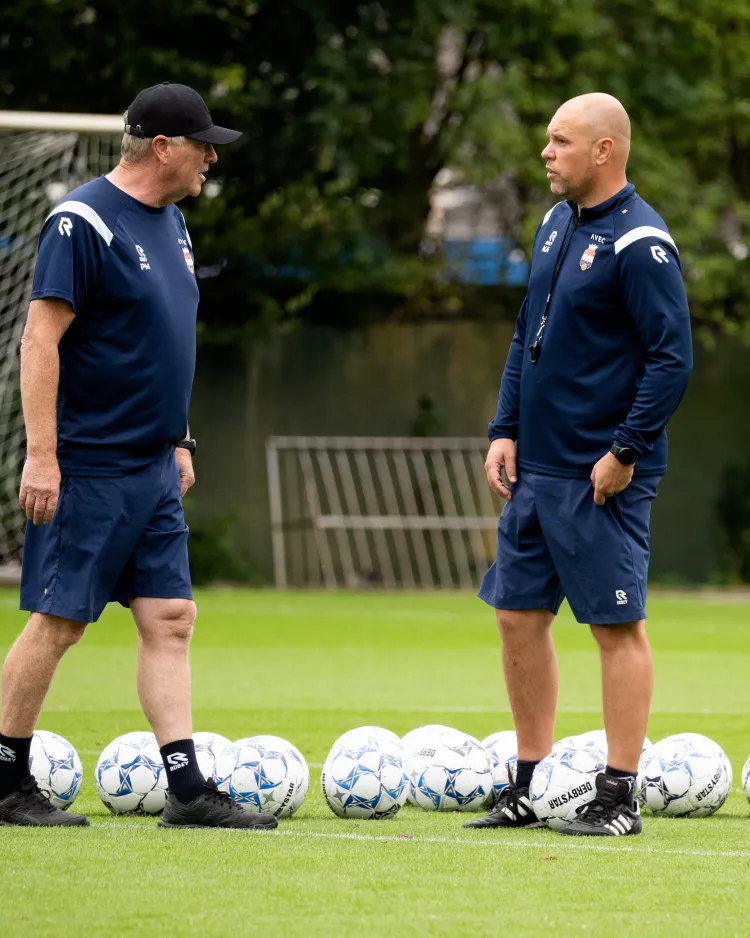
[[392, 512]]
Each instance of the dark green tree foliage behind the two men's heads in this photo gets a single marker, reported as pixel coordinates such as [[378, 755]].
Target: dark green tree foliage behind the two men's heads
[[350, 111]]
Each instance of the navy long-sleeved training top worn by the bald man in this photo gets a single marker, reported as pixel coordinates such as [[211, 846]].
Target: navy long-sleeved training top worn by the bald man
[[614, 352]]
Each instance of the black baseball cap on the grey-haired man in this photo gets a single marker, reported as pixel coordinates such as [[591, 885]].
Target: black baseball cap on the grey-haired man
[[175, 111]]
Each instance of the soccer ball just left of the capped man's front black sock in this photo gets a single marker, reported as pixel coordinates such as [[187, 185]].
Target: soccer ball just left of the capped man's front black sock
[[130, 776]]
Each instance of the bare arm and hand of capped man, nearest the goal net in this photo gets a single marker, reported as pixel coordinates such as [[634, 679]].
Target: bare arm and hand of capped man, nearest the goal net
[[47, 323]]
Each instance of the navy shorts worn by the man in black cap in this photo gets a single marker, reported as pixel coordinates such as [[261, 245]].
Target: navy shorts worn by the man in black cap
[[110, 540]]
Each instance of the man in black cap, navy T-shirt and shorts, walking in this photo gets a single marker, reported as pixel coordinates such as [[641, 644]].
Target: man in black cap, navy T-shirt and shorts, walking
[[107, 363]]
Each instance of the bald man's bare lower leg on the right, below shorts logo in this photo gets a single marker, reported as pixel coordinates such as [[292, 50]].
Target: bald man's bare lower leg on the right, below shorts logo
[[627, 688]]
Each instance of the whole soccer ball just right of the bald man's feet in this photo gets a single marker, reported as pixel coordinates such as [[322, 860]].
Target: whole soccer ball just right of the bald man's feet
[[687, 775]]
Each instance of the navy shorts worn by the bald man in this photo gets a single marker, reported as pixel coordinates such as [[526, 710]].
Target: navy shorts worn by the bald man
[[554, 543]]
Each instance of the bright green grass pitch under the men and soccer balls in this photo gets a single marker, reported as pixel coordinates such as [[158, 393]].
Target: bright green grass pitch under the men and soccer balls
[[308, 667]]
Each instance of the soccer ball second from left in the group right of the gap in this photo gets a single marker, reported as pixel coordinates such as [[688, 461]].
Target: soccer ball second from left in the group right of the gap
[[450, 772]]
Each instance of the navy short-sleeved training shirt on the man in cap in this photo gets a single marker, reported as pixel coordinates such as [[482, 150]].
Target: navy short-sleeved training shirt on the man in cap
[[127, 360]]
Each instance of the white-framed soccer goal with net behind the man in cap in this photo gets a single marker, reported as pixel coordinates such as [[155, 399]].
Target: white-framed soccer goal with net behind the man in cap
[[42, 157]]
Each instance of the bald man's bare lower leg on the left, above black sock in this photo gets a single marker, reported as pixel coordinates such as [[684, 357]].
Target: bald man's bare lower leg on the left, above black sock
[[530, 667]]
